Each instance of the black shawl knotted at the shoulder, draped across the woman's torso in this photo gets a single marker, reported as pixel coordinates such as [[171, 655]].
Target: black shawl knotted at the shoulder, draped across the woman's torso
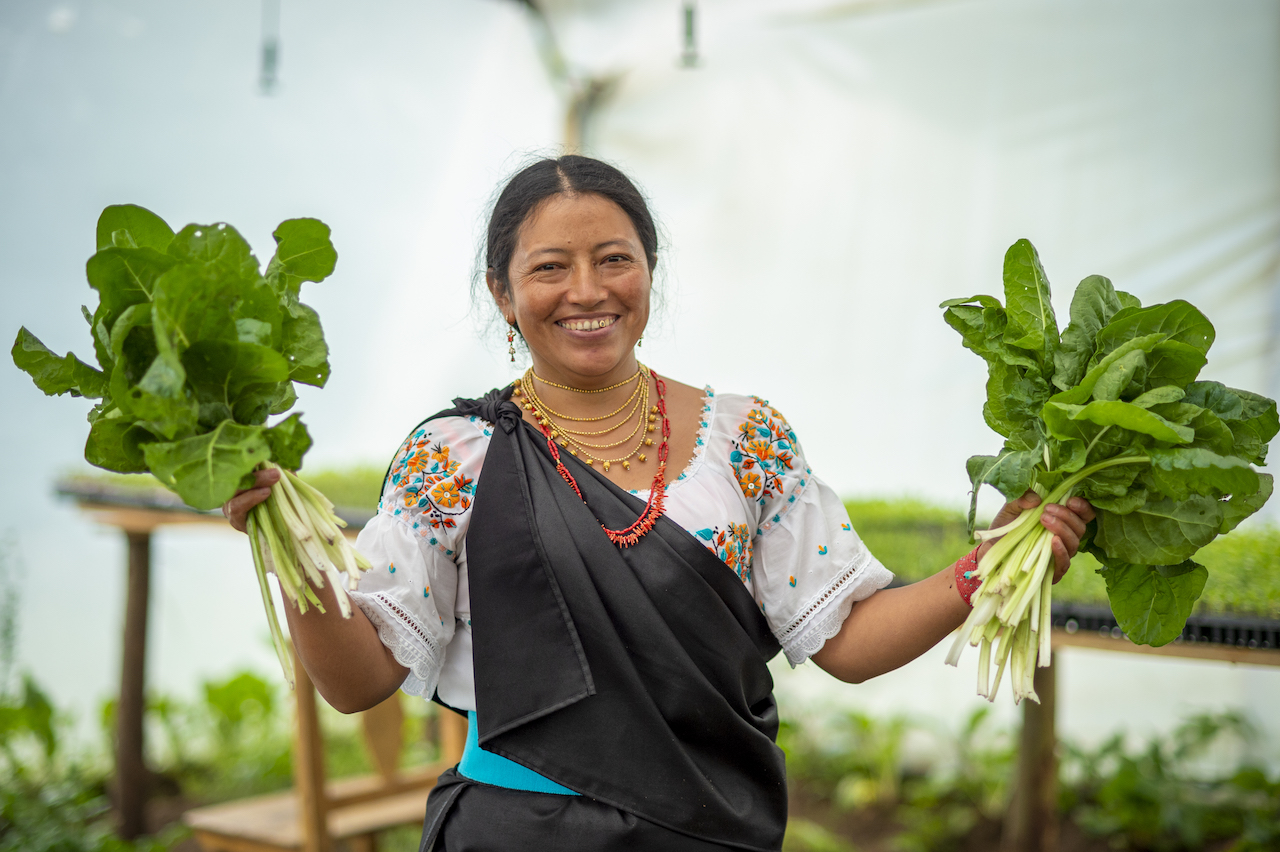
[[633, 676]]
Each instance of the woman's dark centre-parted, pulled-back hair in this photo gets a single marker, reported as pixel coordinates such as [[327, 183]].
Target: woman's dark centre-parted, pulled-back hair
[[573, 175]]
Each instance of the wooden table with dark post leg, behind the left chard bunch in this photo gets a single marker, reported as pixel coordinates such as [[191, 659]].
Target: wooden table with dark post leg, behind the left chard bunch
[[139, 512]]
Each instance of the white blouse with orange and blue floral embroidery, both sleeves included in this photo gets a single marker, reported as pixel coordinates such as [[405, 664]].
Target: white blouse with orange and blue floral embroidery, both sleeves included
[[748, 496]]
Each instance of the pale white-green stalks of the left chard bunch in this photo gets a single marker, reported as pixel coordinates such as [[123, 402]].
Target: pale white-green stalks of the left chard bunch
[[296, 535]]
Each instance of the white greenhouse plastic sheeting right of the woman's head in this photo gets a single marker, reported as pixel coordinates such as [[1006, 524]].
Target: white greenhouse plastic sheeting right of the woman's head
[[829, 172]]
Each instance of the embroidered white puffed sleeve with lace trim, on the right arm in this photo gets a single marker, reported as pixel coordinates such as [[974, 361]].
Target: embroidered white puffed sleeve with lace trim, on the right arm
[[810, 567]]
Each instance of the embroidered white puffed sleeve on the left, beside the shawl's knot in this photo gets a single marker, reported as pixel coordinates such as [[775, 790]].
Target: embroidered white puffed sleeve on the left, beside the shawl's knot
[[414, 543]]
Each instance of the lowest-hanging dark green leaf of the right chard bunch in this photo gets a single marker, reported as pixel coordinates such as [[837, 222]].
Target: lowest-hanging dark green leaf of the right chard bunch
[[1153, 603]]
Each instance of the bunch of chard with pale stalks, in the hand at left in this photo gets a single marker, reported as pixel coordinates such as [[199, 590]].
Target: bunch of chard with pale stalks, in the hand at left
[[198, 350]]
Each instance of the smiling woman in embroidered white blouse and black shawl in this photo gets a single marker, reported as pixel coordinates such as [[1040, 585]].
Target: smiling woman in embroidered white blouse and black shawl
[[596, 565]]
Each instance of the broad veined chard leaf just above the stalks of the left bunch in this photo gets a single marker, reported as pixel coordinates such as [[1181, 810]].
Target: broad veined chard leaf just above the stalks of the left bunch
[[207, 470]]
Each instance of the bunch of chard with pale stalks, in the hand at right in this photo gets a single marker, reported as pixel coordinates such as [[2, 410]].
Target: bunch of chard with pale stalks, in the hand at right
[[1110, 410]]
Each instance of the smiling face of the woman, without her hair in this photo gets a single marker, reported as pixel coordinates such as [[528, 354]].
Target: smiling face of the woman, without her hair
[[579, 290]]
